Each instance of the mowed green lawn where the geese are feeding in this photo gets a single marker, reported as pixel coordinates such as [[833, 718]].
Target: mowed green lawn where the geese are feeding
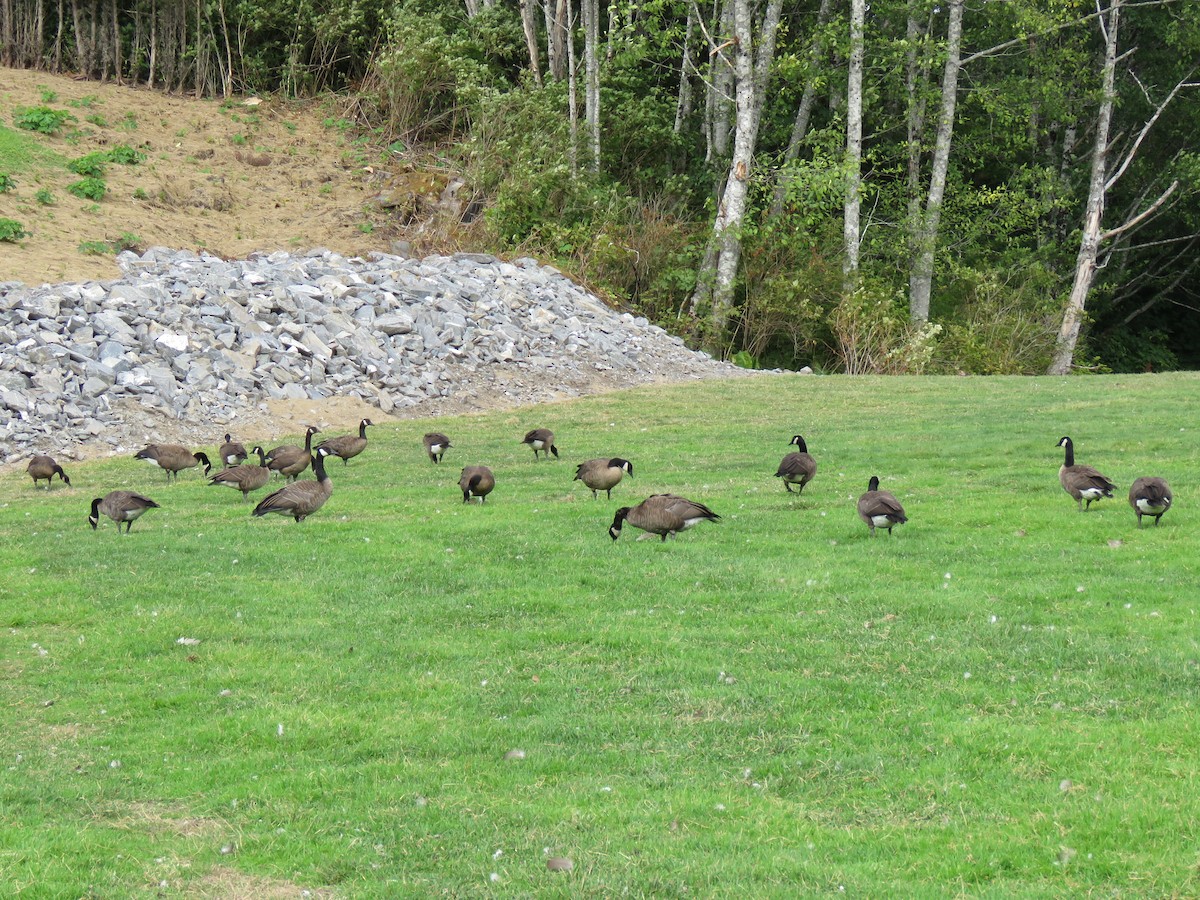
[[407, 697]]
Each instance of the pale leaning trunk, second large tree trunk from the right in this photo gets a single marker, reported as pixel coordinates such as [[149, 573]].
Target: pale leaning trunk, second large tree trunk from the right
[[925, 242]]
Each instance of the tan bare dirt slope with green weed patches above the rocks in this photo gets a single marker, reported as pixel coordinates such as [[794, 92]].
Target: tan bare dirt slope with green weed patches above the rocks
[[231, 178]]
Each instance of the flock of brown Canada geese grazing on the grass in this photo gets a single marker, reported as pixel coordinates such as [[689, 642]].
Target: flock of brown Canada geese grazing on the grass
[[663, 514]]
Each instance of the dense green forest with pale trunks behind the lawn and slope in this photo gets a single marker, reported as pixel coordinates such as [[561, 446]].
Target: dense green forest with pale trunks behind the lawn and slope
[[1006, 187]]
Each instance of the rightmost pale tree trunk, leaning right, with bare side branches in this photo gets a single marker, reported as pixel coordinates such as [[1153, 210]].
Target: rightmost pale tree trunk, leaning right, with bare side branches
[[1090, 241]]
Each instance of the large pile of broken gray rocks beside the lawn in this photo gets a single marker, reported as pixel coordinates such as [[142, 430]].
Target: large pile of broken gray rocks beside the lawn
[[201, 340]]
